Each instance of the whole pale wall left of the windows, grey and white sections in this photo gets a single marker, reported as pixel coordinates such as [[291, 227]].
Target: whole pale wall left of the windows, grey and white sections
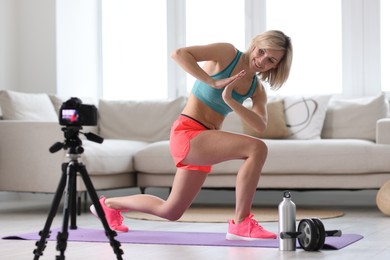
[[49, 46]]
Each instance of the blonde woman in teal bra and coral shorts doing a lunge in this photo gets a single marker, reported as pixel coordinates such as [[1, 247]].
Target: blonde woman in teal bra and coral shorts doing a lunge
[[227, 78]]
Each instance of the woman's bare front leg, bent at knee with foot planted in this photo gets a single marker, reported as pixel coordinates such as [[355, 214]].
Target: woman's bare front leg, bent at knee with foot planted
[[227, 146]]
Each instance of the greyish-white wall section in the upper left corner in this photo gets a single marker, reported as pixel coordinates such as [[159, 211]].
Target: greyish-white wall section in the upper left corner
[[27, 46]]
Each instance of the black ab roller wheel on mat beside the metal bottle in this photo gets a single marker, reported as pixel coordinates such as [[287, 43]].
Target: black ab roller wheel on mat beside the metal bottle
[[312, 234]]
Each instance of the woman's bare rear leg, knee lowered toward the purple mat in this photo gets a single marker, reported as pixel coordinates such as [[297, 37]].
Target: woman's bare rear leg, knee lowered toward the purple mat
[[185, 187]]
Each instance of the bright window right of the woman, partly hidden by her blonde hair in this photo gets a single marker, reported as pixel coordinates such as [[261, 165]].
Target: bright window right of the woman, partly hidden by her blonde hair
[[316, 38]]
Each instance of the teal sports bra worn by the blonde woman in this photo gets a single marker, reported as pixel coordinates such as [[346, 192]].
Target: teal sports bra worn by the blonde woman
[[212, 97]]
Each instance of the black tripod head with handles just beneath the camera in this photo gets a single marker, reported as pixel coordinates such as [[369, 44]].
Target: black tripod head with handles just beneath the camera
[[73, 143]]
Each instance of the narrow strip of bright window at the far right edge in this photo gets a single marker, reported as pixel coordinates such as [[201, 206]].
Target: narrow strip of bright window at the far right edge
[[385, 43]]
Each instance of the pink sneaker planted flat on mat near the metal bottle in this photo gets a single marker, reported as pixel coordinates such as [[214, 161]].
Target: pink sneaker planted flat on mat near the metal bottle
[[248, 230]]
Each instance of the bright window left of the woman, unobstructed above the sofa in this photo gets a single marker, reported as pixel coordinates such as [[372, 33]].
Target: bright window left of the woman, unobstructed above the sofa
[[134, 49]]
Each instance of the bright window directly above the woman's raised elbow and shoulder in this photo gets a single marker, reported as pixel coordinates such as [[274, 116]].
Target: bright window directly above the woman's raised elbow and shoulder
[[221, 21]]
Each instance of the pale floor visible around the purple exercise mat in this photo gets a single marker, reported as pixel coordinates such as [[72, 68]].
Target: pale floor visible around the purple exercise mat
[[29, 215]]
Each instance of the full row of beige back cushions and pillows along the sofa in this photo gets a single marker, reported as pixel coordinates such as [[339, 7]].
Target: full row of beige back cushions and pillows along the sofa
[[151, 121]]
